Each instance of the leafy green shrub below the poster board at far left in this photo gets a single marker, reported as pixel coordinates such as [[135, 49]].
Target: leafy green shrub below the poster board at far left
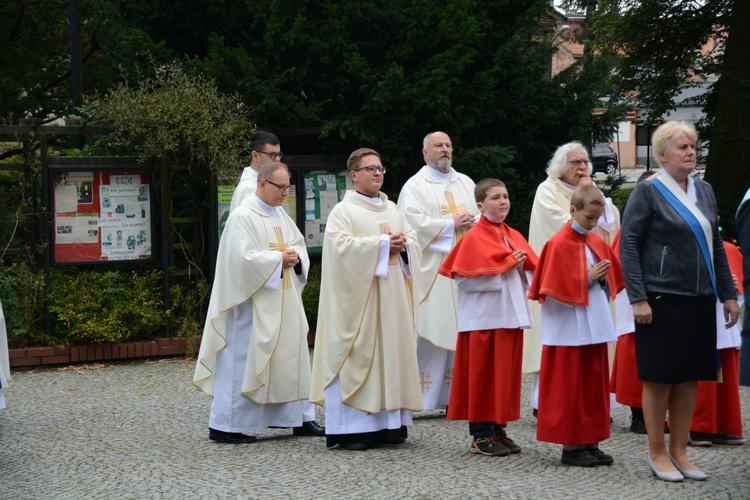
[[112, 306]]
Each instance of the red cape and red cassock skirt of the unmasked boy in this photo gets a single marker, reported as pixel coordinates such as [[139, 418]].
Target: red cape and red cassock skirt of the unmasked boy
[[486, 382]]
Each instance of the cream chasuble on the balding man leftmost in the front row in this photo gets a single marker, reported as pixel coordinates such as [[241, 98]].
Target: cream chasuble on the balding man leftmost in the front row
[[277, 369]]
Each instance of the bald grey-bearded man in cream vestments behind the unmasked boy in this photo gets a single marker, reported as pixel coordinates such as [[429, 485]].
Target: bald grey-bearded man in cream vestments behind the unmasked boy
[[439, 204]]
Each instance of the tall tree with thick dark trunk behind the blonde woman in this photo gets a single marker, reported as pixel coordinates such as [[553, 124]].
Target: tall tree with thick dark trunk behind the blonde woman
[[657, 43]]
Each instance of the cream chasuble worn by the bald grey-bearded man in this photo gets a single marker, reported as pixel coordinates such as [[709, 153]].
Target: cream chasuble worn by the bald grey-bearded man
[[428, 205]]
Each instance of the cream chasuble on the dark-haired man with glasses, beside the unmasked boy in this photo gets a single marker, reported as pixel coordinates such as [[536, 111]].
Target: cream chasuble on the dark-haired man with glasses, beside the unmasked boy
[[366, 324]]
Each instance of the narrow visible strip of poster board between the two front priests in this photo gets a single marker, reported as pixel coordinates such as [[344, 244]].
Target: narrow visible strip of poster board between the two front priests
[[323, 189]]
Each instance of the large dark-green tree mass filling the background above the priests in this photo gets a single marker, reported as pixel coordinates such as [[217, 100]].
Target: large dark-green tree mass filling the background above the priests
[[374, 72]]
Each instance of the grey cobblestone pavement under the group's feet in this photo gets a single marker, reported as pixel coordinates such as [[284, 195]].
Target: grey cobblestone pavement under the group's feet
[[140, 430]]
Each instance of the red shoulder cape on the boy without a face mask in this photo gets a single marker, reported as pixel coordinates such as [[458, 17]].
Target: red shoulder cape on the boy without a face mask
[[483, 250]]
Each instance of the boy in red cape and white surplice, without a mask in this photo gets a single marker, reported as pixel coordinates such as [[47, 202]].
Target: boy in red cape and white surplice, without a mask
[[492, 267]]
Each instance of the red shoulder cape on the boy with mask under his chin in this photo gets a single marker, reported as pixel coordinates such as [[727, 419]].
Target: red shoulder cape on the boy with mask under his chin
[[562, 272]]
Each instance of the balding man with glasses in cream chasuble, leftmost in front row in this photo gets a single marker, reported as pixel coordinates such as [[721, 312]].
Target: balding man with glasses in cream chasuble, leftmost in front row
[[254, 358]]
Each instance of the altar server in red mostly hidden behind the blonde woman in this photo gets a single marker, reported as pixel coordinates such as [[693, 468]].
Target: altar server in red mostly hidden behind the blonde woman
[[717, 418]]
